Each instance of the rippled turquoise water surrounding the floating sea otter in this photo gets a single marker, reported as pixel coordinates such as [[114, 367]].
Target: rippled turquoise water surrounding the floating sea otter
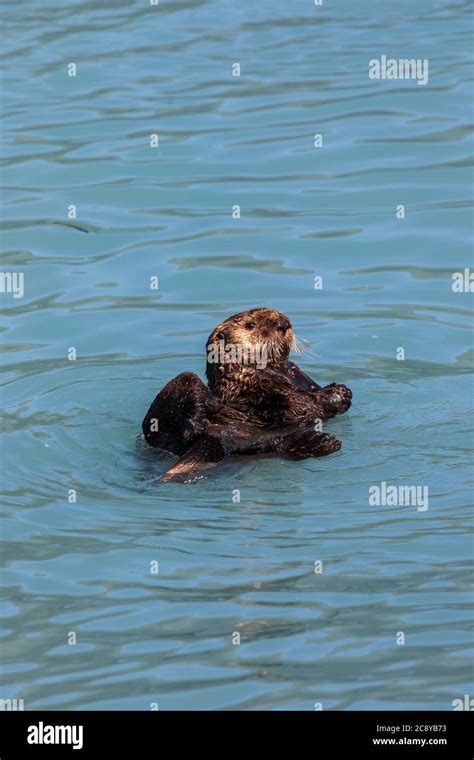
[[84, 569]]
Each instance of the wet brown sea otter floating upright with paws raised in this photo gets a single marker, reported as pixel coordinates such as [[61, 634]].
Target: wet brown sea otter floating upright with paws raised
[[256, 402]]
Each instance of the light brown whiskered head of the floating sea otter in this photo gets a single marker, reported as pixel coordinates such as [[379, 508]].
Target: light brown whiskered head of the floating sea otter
[[247, 342]]
